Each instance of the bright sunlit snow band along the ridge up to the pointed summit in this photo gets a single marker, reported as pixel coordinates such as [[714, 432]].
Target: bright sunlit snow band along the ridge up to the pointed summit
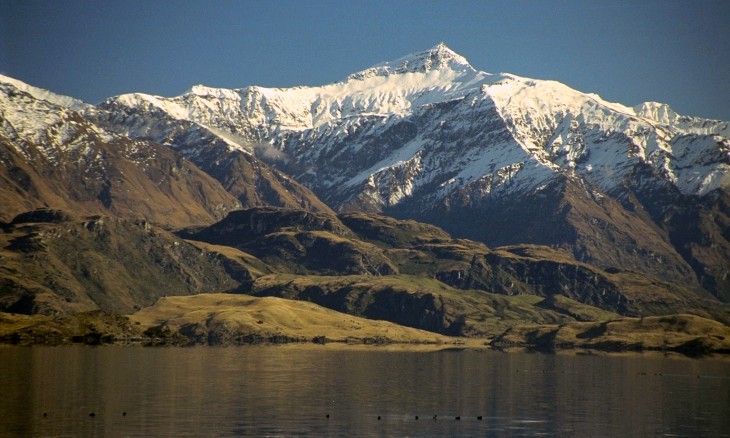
[[259, 114]]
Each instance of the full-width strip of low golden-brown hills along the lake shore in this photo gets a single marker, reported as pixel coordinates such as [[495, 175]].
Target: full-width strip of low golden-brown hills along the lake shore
[[276, 324]]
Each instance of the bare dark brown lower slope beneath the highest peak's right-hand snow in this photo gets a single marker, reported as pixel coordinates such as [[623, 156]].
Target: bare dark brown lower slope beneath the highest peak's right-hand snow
[[598, 231]]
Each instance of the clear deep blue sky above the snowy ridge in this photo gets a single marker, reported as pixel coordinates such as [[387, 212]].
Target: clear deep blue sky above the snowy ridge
[[627, 51]]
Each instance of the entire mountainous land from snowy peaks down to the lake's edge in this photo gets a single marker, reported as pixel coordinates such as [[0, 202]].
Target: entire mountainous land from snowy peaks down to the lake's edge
[[420, 191]]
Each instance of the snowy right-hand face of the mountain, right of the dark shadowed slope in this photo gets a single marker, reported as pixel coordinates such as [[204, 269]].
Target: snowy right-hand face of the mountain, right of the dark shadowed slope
[[602, 141]]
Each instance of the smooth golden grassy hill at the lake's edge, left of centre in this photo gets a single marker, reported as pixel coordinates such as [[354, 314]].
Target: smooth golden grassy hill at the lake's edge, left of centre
[[239, 319]]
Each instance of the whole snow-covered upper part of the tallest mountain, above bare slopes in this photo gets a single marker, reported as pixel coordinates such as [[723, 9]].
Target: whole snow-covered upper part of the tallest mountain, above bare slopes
[[430, 121]]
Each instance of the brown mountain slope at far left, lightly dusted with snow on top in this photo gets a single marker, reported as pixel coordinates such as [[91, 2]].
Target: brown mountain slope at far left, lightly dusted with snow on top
[[52, 156]]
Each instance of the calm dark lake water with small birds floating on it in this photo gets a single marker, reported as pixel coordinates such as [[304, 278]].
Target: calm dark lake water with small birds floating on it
[[323, 391]]
